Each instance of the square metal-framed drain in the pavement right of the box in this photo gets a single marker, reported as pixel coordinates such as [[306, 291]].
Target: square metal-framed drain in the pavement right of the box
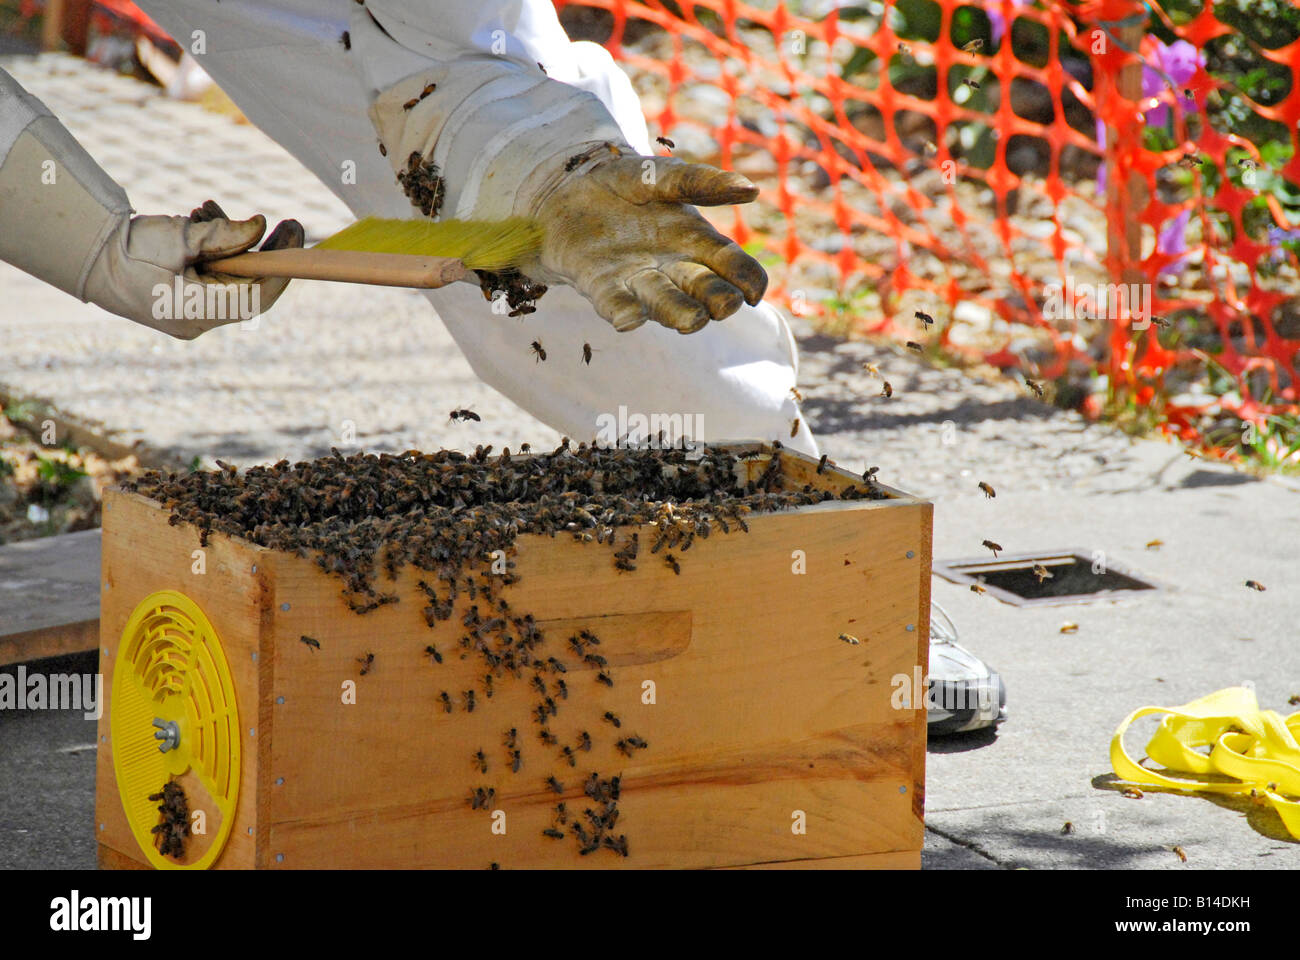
[[1012, 578]]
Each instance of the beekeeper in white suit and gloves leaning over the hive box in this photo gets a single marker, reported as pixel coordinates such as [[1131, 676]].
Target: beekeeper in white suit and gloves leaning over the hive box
[[496, 96]]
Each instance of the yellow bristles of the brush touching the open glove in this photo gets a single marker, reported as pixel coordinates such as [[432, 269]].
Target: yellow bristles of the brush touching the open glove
[[480, 245]]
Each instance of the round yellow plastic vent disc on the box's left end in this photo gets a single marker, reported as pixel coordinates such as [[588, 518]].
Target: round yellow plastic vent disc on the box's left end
[[171, 669]]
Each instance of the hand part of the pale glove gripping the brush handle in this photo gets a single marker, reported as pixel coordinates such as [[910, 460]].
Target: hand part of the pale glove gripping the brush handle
[[136, 274]]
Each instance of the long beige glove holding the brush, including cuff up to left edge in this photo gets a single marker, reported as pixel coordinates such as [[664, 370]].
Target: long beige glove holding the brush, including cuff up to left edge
[[64, 220]]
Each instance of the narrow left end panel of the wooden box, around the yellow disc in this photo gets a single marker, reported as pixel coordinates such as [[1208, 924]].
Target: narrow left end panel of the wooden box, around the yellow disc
[[141, 556]]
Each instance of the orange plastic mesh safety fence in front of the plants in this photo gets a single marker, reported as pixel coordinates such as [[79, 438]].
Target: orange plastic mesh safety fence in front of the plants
[[891, 154]]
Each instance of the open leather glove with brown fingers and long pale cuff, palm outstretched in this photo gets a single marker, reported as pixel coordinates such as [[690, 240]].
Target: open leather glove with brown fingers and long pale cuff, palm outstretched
[[618, 227]]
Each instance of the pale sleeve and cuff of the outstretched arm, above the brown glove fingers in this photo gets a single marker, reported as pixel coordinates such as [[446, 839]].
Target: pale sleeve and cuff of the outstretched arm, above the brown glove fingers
[[476, 98]]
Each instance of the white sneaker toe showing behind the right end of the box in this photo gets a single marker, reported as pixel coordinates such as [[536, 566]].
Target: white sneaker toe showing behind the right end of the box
[[964, 694]]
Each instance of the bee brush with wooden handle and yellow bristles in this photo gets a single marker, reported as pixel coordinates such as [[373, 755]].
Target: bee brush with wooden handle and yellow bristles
[[397, 253]]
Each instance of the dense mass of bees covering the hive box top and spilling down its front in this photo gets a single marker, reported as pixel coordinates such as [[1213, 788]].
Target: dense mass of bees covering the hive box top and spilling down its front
[[453, 516]]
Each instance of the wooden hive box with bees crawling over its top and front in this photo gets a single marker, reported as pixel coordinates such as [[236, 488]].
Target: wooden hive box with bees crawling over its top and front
[[760, 712]]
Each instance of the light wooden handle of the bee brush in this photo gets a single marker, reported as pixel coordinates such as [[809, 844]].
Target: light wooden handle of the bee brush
[[346, 266]]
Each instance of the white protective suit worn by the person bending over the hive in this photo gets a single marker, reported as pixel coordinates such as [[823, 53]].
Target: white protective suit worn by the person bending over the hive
[[284, 63]]
